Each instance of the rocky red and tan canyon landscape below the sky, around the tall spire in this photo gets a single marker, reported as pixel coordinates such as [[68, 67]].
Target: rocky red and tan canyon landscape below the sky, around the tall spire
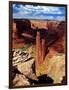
[[52, 68]]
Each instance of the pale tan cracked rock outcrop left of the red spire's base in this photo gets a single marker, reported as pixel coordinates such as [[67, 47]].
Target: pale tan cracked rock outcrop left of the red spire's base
[[23, 62]]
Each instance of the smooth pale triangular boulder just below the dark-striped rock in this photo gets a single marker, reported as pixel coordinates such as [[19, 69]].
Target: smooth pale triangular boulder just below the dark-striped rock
[[26, 69]]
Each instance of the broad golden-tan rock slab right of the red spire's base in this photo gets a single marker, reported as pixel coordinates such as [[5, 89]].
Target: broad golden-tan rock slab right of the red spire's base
[[54, 67]]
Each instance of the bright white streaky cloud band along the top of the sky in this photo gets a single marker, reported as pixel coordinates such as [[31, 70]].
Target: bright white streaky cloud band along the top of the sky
[[44, 9]]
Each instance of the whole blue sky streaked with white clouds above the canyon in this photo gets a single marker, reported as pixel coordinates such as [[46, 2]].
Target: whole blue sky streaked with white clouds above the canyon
[[26, 11]]
